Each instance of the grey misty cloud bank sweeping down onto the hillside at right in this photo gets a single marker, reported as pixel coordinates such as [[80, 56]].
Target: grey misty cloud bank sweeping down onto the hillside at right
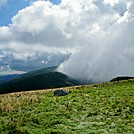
[[109, 50]]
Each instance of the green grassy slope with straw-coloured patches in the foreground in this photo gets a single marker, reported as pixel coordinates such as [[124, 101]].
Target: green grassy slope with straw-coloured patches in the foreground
[[91, 109]]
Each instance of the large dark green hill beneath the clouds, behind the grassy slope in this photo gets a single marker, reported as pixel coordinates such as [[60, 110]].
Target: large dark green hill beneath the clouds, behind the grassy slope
[[38, 79]]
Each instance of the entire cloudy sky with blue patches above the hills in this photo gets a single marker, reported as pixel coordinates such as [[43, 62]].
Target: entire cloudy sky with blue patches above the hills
[[91, 40]]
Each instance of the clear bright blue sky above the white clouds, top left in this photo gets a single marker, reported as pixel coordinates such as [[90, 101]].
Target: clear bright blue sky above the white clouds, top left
[[8, 10]]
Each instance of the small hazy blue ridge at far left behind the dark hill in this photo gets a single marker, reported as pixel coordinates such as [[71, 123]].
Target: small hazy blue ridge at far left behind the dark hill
[[6, 78]]
